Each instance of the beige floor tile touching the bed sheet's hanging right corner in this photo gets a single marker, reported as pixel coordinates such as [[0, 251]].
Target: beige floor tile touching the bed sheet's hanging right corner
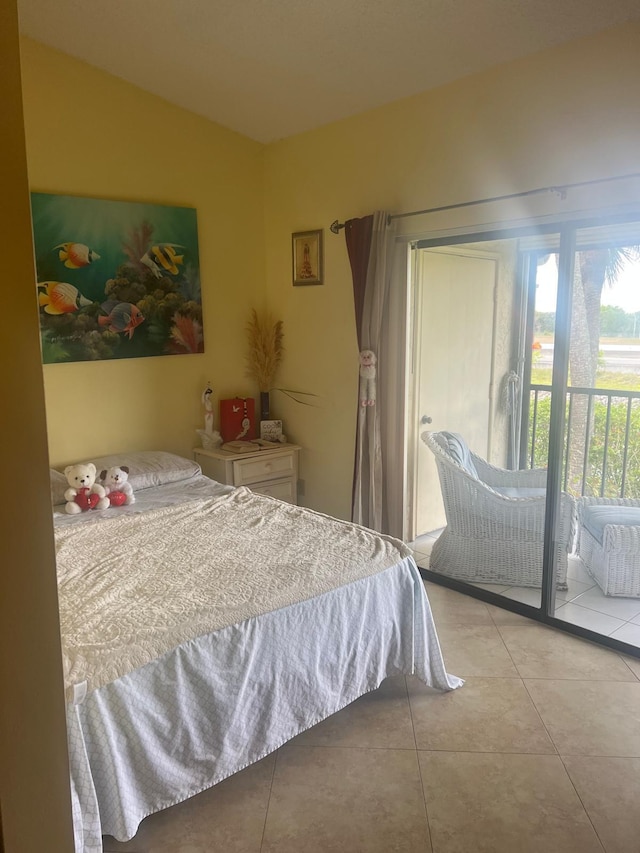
[[486, 715]]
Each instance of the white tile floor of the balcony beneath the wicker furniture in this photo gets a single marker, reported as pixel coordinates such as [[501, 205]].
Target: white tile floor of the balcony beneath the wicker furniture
[[583, 603]]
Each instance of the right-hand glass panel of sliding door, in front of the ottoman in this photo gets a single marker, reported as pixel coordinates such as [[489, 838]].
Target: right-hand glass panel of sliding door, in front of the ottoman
[[597, 443]]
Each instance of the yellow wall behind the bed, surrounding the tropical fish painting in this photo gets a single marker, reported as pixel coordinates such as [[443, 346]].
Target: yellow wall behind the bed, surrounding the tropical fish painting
[[91, 134]]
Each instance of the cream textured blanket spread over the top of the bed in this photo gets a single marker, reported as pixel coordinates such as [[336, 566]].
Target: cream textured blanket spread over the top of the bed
[[200, 566]]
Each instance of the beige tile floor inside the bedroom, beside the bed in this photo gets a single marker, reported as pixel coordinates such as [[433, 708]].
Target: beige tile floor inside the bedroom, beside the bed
[[538, 752]]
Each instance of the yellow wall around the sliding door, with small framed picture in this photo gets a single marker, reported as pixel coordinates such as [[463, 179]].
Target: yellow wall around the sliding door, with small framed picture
[[566, 115]]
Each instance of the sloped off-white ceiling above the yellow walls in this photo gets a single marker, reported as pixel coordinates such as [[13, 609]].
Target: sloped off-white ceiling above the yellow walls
[[274, 68]]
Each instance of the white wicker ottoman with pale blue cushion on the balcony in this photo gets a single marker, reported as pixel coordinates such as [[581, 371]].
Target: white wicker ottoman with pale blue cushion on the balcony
[[609, 543]]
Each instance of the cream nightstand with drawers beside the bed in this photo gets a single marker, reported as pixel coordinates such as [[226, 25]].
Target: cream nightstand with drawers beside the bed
[[268, 472]]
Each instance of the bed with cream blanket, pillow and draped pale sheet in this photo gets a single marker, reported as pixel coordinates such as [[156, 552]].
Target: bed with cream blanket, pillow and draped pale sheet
[[204, 626]]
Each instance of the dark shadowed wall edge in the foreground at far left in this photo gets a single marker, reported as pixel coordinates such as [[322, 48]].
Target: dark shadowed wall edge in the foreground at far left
[[34, 775]]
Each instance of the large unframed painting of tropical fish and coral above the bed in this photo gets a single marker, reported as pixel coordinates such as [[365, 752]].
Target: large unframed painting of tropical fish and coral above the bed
[[116, 279]]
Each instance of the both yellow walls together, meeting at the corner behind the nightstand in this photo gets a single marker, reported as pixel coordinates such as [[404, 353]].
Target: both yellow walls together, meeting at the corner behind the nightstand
[[561, 116]]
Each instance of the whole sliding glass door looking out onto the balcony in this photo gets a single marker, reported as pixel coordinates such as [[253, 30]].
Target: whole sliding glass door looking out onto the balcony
[[556, 531]]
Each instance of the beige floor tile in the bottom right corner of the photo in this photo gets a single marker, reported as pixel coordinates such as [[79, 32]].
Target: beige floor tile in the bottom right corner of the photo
[[610, 791]]
